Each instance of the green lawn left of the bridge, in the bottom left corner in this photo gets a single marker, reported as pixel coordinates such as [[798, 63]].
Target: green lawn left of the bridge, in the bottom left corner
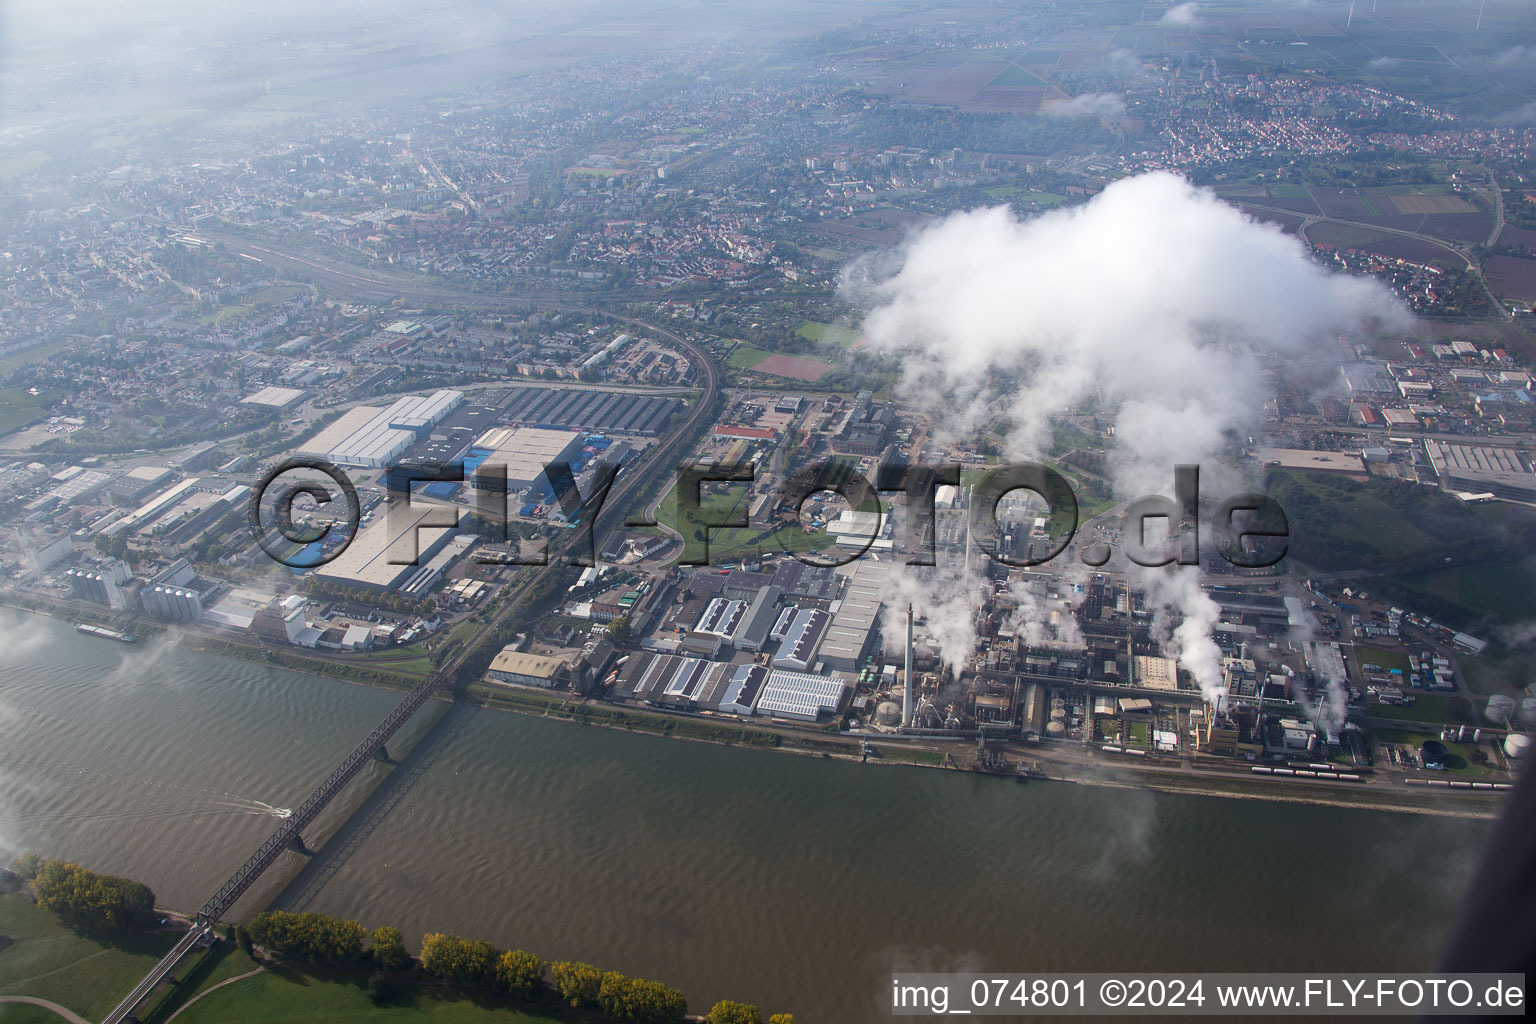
[[51, 962]]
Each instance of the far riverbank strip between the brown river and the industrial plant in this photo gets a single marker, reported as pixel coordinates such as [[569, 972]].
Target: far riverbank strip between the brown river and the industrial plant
[[1067, 767]]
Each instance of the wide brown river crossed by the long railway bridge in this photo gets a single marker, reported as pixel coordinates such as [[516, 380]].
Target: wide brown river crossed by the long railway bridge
[[781, 880]]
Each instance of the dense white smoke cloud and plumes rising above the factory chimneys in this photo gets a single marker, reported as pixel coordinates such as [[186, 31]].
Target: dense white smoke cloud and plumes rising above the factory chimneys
[[1154, 302]]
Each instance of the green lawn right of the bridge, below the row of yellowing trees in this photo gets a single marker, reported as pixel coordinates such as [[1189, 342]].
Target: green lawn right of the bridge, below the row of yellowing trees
[[291, 996]]
